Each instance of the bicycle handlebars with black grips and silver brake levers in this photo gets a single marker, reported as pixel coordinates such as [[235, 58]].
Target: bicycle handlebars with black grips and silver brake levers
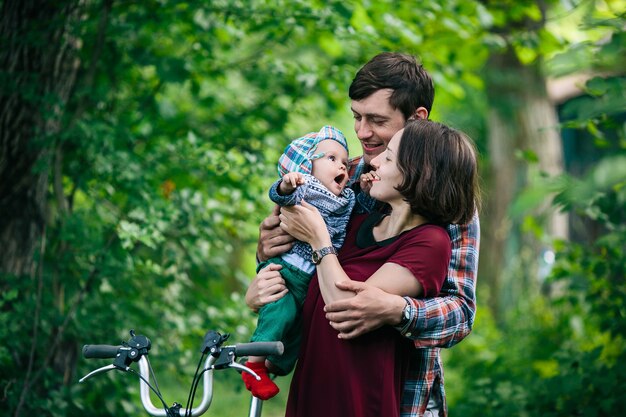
[[219, 357]]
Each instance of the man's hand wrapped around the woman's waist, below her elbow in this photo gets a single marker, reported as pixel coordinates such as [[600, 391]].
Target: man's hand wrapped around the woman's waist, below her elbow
[[368, 310]]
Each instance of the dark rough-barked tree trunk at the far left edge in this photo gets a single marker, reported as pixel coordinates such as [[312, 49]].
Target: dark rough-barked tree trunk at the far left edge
[[38, 70]]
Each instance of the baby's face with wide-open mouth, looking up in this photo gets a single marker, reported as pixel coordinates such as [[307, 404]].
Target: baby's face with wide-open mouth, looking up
[[332, 168]]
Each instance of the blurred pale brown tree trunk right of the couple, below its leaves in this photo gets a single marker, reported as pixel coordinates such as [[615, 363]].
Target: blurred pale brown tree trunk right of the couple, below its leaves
[[521, 117]]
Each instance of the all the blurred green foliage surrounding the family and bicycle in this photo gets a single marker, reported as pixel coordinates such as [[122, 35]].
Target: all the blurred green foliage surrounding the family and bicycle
[[169, 143]]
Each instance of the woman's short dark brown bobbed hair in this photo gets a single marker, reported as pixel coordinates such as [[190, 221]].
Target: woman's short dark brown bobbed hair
[[440, 172]]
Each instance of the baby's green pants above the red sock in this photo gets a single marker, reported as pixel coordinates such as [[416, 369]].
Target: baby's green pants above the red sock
[[281, 320]]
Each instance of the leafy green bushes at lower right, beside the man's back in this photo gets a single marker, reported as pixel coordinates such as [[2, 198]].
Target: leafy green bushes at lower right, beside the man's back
[[562, 353]]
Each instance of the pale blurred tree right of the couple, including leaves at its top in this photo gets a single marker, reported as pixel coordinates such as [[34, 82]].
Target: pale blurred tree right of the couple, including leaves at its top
[[521, 121]]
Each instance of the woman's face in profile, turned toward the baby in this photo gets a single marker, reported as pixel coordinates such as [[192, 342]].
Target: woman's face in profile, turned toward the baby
[[387, 172]]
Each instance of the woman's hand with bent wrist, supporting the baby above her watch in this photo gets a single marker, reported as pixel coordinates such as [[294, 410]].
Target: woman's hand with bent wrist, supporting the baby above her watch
[[305, 223]]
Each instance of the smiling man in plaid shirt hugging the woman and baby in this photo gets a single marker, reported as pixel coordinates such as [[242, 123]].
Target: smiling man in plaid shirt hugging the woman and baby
[[388, 91]]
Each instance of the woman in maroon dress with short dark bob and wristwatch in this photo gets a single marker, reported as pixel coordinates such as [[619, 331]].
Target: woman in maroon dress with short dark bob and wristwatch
[[428, 178]]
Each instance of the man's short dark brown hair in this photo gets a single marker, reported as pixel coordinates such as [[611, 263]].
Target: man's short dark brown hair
[[412, 86]]
